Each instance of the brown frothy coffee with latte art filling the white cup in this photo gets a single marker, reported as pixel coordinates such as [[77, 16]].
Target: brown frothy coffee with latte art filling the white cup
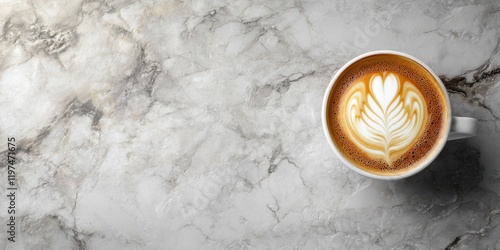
[[386, 114]]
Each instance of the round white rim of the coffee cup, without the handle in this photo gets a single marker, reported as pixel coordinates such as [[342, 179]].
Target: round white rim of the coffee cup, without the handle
[[343, 159]]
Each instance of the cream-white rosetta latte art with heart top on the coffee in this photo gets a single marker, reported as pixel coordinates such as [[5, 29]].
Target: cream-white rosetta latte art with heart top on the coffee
[[384, 116]]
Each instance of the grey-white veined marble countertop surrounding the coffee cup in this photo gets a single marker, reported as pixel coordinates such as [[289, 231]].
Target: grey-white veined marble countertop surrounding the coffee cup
[[197, 125]]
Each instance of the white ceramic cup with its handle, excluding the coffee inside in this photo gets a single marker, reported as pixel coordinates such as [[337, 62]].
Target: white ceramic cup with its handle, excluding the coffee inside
[[457, 127]]
